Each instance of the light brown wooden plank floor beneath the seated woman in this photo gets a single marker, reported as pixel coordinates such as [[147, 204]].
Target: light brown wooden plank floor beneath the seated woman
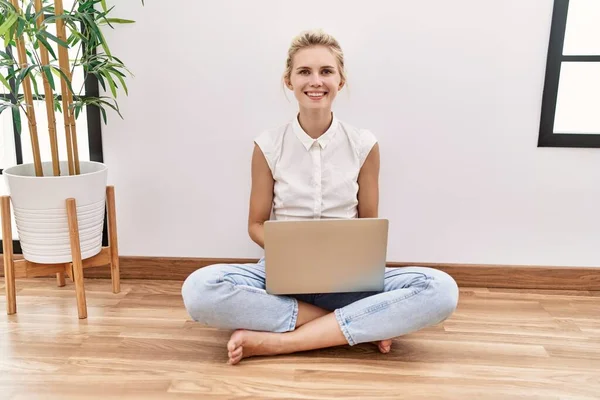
[[505, 344]]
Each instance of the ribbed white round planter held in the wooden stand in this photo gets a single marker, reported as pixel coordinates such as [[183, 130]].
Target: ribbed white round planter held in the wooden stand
[[39, 206]]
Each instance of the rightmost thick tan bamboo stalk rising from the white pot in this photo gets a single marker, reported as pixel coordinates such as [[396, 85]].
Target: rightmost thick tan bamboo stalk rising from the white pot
[[63, 61]]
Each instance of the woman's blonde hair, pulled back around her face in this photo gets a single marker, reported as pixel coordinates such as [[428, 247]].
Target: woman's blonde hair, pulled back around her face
[[316, 37]]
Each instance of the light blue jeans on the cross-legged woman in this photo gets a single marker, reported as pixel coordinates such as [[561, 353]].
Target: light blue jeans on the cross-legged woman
[[233, 296]]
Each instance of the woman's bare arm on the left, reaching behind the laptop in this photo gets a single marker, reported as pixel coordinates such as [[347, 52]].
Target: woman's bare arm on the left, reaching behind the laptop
[[261, 197]]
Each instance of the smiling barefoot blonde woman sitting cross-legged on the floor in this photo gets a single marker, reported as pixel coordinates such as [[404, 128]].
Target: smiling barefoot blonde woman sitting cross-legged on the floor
[[315, 166]]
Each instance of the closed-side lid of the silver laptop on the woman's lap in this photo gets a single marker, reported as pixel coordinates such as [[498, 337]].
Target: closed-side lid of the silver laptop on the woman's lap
[[325, 255]]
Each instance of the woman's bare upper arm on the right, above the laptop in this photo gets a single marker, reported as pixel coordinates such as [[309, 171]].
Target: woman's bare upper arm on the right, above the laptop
[[368, 185]]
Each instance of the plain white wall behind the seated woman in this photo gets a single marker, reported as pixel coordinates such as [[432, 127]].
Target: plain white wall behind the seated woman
[[452, 90]]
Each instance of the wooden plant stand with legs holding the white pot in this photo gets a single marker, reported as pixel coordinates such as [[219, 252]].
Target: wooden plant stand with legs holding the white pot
[[109, 255]]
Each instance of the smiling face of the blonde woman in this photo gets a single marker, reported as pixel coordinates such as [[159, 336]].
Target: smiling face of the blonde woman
[[315, 78]]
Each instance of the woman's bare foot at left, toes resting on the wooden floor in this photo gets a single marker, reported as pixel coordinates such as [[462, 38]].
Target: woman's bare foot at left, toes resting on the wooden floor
[[244, 343]]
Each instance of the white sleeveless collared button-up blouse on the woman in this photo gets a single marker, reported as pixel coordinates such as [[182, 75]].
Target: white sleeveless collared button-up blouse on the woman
[[315, 178]]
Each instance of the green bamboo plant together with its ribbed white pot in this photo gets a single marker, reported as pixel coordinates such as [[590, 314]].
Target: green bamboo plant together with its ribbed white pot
[[38, 35]]
